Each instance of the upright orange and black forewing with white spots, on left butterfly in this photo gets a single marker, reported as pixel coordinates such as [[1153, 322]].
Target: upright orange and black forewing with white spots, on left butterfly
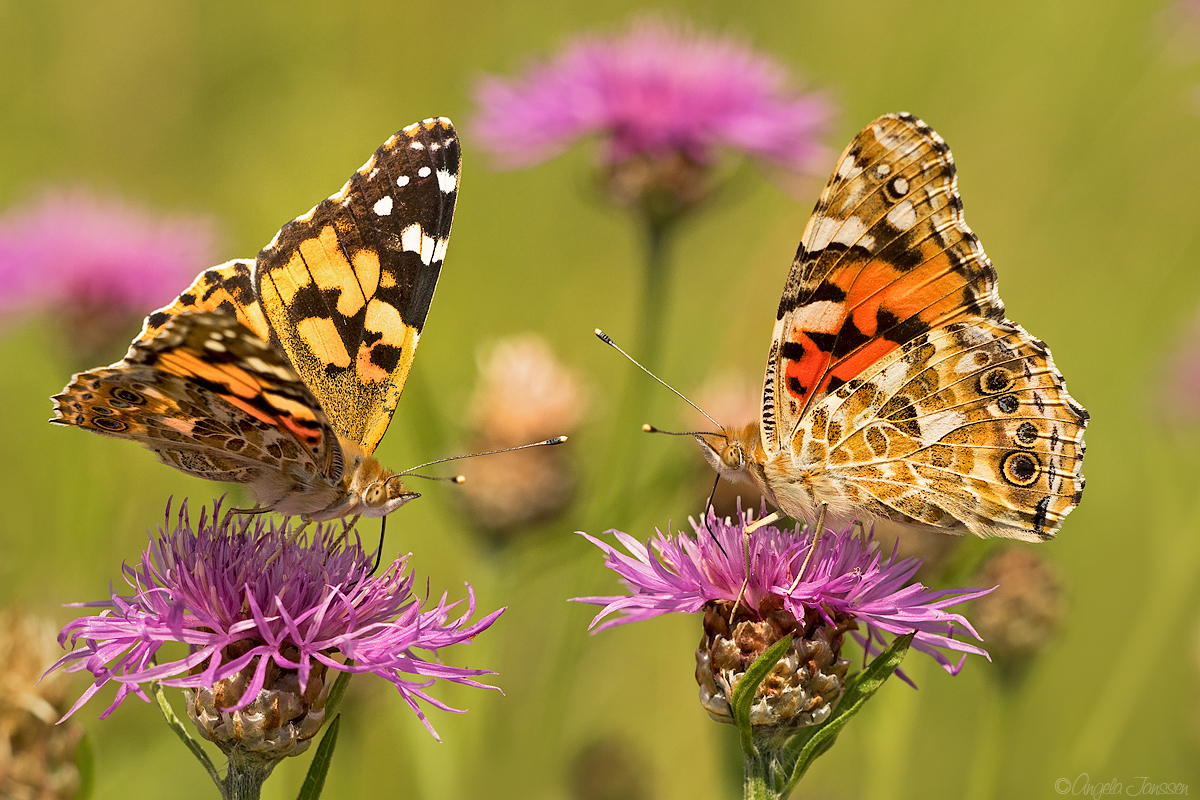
[[346, 288]]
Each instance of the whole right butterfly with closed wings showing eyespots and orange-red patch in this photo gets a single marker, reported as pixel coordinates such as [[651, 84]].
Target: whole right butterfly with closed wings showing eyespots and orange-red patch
[[896, 387]]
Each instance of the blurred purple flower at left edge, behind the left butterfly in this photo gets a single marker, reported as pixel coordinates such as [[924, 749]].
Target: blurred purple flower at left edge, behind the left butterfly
[[76, 251]]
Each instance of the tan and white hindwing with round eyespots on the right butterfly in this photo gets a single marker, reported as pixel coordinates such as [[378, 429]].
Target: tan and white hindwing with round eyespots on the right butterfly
[[967, 428]]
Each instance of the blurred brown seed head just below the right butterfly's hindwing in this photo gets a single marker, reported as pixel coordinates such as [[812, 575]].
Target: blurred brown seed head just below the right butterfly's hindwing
[[1024, 613]]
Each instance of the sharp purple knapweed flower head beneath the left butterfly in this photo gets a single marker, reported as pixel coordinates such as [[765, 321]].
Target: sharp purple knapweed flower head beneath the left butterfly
[[263, 610]]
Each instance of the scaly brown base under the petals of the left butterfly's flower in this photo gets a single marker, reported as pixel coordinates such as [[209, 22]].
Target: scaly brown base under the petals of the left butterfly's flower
[[281, 723]]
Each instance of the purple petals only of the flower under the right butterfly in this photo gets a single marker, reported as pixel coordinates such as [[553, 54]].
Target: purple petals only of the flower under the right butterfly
[[848, 578]]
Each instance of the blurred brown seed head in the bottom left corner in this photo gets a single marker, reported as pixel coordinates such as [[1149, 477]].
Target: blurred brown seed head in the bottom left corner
[[38, 757]]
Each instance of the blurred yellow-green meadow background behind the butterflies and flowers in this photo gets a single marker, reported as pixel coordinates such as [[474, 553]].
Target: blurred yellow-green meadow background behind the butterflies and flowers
[[1075, 128]]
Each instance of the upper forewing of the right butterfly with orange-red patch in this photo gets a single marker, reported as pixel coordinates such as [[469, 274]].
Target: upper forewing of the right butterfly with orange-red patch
[[885, 258]]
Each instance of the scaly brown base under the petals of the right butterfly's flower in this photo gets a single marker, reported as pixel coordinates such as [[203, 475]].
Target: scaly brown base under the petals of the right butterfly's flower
[[806, 685]]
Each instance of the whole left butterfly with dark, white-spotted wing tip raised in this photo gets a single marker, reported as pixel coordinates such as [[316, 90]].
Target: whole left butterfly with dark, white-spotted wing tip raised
[[283, 374]]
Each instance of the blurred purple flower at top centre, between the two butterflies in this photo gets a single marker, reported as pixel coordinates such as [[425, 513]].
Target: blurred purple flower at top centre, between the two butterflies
[[657, 89]]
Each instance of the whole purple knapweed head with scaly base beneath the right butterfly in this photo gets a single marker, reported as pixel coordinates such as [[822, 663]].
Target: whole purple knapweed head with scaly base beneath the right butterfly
[[847, 588]]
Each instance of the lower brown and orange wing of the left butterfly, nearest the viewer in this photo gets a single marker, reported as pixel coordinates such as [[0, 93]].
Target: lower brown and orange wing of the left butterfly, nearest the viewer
[[215, 401]]
